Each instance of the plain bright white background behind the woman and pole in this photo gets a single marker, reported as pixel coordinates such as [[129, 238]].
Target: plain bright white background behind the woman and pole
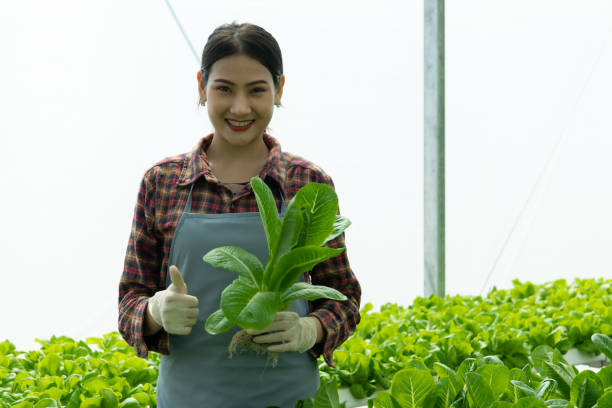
[[94, 93]]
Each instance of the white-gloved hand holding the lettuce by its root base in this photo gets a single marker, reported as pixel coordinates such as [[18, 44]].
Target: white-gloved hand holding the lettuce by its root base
[[294, 332]]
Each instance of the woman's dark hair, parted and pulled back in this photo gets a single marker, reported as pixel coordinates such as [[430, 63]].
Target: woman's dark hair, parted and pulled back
[[248, 39]]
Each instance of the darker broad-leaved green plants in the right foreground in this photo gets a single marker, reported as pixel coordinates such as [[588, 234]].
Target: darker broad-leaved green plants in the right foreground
[[546, 381]]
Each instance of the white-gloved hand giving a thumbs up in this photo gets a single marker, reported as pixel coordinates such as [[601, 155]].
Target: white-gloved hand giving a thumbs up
[[173, 308]]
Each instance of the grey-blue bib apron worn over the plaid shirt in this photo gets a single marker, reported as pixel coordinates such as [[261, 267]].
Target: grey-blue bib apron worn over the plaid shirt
[[198, 371]]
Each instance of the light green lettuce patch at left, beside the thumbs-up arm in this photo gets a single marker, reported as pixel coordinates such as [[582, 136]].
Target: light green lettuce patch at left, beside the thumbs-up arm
[[67, 373]]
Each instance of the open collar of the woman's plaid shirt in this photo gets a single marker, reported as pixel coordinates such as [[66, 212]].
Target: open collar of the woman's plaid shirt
[[196, 163]]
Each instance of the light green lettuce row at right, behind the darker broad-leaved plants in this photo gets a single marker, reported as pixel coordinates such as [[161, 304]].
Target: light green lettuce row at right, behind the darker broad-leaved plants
[[507, 324]]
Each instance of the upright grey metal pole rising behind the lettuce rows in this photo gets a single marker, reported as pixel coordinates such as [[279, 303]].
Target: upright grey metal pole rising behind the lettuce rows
[[434, 204]]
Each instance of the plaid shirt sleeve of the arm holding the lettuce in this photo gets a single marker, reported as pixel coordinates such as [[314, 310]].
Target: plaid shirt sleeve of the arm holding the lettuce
[[338, 318]]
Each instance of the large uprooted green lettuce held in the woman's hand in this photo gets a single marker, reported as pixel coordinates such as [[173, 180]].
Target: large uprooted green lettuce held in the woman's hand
[[294, 247]]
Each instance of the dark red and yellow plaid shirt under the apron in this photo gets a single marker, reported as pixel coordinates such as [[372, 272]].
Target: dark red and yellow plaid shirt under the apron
[[159, 206]]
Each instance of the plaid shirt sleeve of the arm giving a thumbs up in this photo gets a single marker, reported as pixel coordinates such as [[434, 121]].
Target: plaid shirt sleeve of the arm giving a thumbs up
[[141, 274]]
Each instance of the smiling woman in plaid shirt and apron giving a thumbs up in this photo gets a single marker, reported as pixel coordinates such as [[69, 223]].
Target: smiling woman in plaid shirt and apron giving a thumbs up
[[191, 203]]
